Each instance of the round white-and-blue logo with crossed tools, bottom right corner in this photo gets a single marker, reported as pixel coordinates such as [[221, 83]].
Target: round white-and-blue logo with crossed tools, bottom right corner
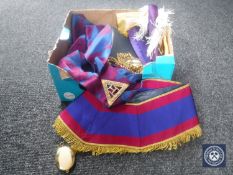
[[214, 155]]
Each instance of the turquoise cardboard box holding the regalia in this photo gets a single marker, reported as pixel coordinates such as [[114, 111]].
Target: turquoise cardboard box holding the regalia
[[67, 88]]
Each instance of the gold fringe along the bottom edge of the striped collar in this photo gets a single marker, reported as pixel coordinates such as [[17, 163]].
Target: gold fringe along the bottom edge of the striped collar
[[78, 145]]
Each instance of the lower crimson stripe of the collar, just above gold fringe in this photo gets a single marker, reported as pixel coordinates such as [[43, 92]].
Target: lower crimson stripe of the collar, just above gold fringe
[[124, 140]]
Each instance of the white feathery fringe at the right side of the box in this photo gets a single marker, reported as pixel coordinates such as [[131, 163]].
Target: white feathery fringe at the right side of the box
[[160, 24]]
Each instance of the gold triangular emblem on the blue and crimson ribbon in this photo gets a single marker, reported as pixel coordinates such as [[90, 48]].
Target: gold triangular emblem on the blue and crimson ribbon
[[113, 90]]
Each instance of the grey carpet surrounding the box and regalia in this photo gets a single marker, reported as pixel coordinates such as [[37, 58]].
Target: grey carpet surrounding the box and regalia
[[203, 43]]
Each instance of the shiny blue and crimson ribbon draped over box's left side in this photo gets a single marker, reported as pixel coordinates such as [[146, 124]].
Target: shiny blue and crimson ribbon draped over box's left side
[[88, 65]]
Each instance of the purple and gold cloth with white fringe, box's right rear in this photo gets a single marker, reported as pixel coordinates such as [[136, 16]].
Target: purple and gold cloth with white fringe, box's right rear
[[147, 33]]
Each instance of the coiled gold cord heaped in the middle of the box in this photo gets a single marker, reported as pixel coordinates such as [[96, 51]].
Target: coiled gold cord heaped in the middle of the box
[[127, 61]]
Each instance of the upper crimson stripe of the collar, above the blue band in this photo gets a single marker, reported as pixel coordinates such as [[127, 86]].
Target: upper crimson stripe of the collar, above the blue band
[[148, 106]]
